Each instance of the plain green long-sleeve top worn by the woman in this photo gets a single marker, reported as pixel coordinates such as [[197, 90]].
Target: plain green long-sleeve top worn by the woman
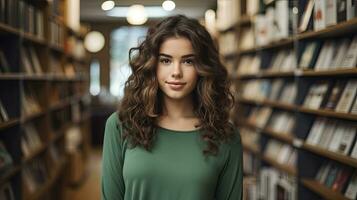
[[175, 169]]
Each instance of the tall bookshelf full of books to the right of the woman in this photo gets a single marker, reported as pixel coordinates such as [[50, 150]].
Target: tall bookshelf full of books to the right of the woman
[[298, 77]]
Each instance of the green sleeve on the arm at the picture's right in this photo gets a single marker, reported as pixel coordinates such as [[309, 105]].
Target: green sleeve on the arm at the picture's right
[[230, 183]]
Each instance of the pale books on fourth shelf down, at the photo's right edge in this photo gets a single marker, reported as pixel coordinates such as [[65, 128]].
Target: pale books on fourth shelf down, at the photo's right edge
[[333, 135]]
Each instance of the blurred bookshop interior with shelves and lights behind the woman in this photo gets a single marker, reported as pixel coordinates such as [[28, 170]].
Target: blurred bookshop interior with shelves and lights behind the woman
[[292, 64]]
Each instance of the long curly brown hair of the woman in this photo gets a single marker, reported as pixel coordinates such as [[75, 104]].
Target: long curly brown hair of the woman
[[142, 101]]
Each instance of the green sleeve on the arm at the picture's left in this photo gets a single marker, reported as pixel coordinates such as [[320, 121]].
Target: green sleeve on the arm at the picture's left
[[112, 184]]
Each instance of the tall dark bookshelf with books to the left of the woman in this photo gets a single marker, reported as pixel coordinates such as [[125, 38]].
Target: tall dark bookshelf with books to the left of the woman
[[44, 98]]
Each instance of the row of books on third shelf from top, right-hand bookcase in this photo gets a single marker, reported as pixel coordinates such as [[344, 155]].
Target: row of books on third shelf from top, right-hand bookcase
[[339, 95]]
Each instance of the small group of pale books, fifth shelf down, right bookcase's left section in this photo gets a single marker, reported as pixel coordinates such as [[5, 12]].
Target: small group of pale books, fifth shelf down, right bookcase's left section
[[281, 152]]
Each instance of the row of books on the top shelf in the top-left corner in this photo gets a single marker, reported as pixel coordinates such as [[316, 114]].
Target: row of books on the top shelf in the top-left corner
[[23, 15]]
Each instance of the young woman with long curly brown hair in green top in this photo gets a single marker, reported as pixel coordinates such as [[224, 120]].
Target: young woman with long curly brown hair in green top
[[171, 138]]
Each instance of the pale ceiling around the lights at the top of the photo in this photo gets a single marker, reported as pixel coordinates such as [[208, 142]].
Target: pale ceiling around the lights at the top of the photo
[[91, 9]]
